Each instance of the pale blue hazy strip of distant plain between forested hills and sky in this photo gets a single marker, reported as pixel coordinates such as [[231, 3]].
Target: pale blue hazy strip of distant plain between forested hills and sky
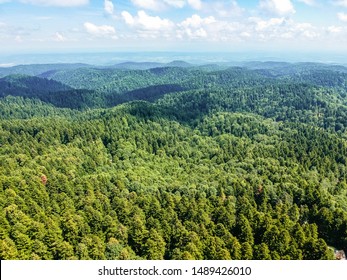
[[111, 58]]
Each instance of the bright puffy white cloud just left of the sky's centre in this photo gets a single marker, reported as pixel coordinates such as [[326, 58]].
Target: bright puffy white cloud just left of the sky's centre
[[146, 22]]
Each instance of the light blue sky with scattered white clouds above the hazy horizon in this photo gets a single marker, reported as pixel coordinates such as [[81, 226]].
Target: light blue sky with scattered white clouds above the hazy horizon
[[173, 25]]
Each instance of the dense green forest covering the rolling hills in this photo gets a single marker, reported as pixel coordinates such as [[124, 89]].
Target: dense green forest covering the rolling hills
[[173, 161]]
